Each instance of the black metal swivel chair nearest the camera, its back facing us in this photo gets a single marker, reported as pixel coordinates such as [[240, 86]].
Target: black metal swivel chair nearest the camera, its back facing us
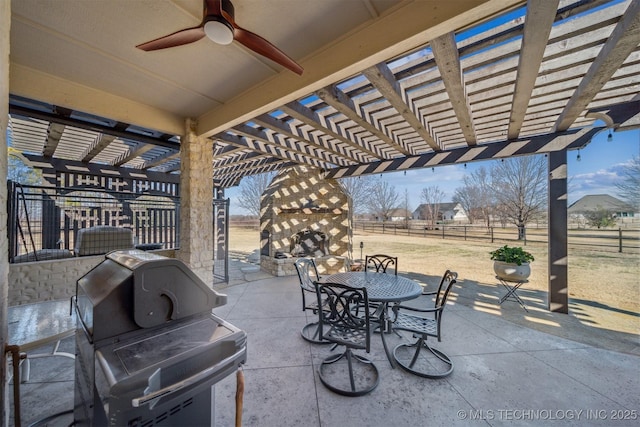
[[346, 322]]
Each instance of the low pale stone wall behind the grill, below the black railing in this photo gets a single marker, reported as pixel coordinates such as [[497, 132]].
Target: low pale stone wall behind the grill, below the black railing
[[31, 282]]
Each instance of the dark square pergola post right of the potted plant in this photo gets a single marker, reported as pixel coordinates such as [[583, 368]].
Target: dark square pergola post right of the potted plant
[[558, 299]]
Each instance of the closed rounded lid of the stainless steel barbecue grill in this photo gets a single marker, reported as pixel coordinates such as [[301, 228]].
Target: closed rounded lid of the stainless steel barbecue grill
[[133, 289]]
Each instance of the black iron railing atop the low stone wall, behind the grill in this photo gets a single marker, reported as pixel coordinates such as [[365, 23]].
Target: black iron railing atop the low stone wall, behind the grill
[[43, 222]]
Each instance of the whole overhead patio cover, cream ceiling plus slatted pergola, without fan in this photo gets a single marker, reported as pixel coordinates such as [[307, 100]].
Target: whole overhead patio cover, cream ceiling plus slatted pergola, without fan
[[387, 85]]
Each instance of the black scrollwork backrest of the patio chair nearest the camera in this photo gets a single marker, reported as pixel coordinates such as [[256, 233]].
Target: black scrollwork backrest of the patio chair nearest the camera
[[345, 319]]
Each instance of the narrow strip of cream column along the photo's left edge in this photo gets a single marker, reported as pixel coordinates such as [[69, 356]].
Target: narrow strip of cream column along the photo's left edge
[[5, 25]]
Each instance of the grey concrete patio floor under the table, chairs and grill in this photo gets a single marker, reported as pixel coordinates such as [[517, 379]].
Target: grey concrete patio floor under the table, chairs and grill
[[511, 367]]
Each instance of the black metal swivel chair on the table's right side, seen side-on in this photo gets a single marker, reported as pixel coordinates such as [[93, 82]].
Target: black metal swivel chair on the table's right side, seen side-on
[[424, 323]]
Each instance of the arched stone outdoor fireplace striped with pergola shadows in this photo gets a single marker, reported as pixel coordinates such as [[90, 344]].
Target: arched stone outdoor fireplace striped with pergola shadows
[[304, 215]]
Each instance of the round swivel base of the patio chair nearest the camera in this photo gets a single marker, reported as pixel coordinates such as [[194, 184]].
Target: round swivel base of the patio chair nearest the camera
[[370, 373]]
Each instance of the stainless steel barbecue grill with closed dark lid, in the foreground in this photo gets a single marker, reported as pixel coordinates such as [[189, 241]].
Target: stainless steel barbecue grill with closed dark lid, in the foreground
[[149, 349]]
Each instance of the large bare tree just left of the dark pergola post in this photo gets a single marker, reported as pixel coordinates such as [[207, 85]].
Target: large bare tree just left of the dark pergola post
[[519, 186]]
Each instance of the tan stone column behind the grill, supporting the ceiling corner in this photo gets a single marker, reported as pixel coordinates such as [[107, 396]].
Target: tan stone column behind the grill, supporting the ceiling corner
[[196, 203]]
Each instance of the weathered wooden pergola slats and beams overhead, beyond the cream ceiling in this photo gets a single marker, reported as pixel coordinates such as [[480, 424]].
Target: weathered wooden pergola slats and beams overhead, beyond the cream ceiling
[[497, 90]]
